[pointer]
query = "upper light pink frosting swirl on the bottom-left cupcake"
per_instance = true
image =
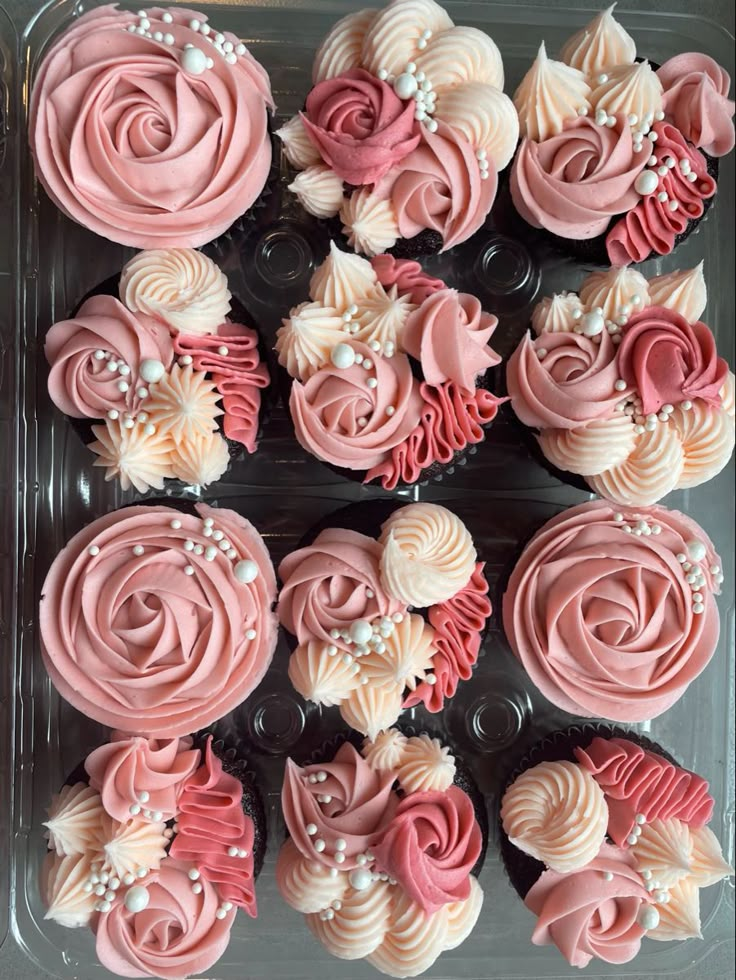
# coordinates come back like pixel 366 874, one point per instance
pixel 127 766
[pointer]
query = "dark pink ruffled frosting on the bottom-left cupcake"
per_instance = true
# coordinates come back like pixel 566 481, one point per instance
pixel 210 821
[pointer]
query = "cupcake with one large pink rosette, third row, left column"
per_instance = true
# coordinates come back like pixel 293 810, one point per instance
pixel 158 620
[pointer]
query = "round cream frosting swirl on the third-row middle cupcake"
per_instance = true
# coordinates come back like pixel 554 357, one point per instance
pixel 428 554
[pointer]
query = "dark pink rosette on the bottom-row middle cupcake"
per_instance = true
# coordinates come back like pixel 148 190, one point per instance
pixel 431 846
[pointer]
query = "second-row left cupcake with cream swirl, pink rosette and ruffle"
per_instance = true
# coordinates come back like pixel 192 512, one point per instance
pixel 161 372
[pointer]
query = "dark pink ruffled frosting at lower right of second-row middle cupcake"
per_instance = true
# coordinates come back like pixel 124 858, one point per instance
pixel 451 419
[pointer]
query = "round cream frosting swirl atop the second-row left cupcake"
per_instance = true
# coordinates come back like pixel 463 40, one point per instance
pixel 179 286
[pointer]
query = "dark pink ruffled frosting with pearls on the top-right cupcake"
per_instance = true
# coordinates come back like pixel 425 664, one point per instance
pixel 652 226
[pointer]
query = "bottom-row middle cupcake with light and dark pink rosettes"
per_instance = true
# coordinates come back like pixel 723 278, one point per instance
pixel 383 849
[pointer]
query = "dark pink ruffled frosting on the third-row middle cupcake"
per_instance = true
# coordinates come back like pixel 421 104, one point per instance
pixel 458 630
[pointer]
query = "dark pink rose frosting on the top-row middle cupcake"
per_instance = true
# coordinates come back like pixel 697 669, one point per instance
pixel 359 125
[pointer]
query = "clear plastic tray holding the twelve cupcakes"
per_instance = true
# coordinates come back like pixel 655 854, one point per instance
pixel 503 495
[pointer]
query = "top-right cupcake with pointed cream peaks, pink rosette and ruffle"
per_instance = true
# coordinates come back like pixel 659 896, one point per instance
pixel 617 159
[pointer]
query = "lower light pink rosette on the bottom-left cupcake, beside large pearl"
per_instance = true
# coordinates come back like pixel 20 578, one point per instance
pixel 176 935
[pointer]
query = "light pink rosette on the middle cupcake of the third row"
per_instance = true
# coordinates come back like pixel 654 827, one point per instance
pixel 332 583
